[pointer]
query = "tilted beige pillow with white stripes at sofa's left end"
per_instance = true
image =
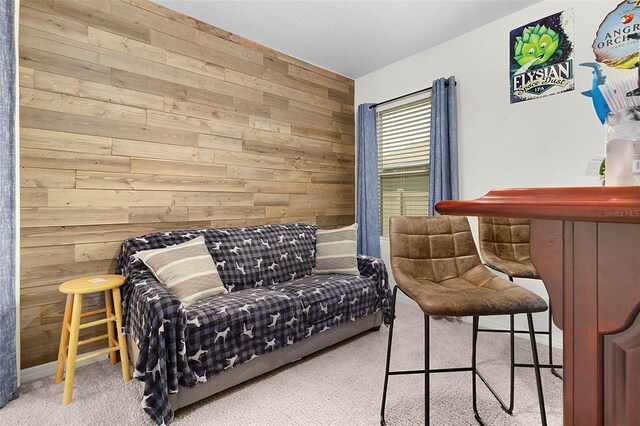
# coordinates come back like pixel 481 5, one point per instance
pixel 186 269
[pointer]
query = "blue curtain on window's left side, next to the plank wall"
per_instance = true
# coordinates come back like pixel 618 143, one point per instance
pixel 367 183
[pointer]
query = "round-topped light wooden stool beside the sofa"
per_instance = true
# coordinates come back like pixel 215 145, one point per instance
pixel 71 326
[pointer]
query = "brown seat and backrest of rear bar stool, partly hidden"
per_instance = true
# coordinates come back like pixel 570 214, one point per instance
pixel 504 246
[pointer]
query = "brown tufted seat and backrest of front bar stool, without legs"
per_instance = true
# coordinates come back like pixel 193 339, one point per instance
pixel 435 262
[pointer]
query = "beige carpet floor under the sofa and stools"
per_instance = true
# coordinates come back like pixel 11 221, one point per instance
pixel 341 385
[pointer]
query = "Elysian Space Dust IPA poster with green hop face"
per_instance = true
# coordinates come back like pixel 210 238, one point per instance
pixel 541 57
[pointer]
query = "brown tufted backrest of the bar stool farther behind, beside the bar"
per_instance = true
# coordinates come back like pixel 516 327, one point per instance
pixel 505 238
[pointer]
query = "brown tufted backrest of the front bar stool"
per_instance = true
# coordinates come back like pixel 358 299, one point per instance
pixel 434 248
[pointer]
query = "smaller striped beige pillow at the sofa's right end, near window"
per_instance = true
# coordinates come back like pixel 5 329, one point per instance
pixel 336 251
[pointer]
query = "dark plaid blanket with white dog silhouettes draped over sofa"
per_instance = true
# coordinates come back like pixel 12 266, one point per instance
pixel 268 307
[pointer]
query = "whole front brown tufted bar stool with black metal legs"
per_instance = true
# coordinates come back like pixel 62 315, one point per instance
pixel 435 263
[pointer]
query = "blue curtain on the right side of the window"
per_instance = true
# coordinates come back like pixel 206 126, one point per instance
pixel 443 170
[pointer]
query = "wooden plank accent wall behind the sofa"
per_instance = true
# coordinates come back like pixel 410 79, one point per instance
pixel 135 118
